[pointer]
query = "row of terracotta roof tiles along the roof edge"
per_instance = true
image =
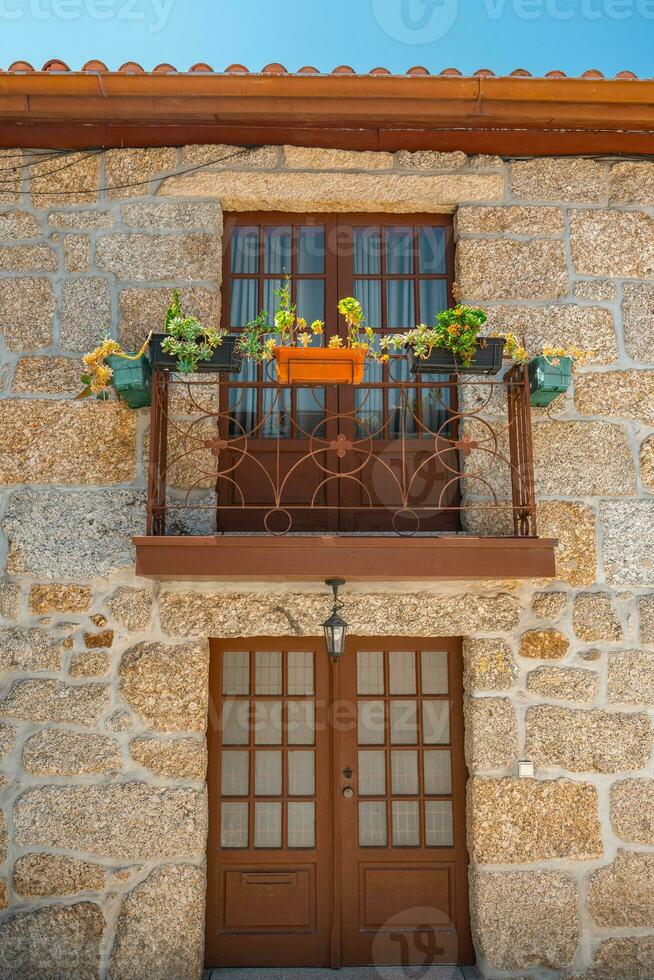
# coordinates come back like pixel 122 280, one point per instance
pixel 274 68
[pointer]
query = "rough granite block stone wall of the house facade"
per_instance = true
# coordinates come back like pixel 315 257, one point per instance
pixel 103 694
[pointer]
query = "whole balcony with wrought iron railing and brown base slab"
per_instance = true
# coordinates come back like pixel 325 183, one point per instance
pixel 409 479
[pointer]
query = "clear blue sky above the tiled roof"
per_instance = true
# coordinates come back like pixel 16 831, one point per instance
pixel 499 34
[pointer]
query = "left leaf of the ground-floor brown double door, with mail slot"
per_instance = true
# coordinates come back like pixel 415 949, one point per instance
pixel 270 812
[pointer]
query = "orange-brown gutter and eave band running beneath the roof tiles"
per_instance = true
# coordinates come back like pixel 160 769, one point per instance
pixel 513 115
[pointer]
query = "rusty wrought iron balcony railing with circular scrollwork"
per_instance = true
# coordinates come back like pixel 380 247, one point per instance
pixel 419 456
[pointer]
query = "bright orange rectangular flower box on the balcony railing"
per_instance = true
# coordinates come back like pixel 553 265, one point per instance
pixel 320 365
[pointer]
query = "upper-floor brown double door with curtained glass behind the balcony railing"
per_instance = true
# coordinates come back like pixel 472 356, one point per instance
pixel 311 458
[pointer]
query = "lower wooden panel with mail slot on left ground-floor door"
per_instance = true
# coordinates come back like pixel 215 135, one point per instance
pixel 269 900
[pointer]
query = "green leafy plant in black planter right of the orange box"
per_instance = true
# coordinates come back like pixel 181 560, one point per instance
pixel 456 329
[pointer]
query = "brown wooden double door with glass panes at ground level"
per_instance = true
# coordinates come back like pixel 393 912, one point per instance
pixel 336 804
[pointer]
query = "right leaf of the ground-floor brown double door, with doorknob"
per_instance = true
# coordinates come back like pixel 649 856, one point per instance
pixel 403 849
